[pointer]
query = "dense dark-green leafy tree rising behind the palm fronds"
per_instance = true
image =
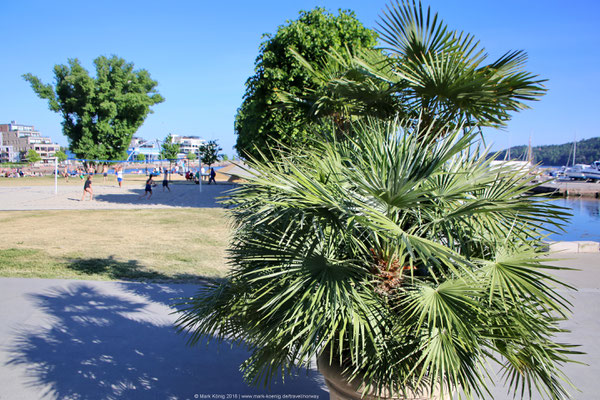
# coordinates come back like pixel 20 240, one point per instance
pixel 258 123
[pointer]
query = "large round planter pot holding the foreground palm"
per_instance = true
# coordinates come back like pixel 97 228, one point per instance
pixel 341 389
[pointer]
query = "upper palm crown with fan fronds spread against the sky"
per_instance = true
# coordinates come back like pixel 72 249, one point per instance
pixel 425 71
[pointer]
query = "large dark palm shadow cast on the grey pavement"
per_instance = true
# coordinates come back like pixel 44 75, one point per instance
pixel 114 344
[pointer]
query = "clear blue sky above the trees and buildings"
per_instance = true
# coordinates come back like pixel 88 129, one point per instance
pixel 201 53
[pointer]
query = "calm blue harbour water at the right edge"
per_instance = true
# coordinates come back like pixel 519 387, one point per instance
pixel 585 223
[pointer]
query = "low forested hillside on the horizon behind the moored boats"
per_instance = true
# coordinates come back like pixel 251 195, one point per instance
pixel 588 151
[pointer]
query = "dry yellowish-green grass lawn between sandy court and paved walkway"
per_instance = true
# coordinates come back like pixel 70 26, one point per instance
pixel 164 244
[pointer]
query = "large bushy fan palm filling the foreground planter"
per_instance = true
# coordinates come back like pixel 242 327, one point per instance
pixel 410 264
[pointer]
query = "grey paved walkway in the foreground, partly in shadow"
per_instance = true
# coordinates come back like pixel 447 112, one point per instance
pixel 64 339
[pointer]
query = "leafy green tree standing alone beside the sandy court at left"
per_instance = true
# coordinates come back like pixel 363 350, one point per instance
pixel 101 113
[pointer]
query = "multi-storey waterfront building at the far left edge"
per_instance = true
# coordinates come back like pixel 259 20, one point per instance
pixel 18 139
